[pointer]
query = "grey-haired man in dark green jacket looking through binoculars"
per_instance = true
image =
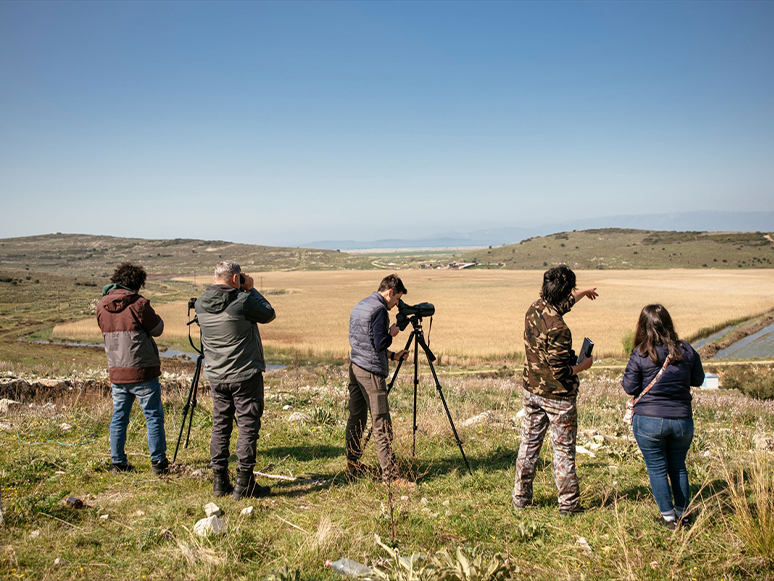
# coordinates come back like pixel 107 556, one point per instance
pixel 228 313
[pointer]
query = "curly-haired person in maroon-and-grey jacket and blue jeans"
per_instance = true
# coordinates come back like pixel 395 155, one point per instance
pixel 128 324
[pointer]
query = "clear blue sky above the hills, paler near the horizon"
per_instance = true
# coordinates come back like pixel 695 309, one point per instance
pixel 286 122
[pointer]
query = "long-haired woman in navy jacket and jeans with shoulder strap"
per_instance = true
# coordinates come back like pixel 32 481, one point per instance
pixel 663 419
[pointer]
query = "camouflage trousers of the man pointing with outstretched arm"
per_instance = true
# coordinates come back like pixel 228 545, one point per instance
pixel 562 417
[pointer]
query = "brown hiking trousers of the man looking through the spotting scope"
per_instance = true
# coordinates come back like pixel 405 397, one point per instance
pixel 368 391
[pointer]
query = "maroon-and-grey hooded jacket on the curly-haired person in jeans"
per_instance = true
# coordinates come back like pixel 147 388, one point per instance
pixel 128 324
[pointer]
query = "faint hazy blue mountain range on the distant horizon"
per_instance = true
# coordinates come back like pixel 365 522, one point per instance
pixel 706 221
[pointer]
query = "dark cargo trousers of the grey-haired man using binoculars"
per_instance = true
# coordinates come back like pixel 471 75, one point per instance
pixel 243 401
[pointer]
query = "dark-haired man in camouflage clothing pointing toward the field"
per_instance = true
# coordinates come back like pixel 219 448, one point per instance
pixel 550 390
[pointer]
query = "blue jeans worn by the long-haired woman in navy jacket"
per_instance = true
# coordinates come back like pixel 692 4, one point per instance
pixel 664 444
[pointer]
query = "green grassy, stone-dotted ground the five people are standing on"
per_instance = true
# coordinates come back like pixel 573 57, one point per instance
pixel 321 515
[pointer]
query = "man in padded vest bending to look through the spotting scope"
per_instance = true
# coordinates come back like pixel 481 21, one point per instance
pixel 370 336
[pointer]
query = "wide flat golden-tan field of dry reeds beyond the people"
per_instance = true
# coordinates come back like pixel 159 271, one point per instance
pixel 479 313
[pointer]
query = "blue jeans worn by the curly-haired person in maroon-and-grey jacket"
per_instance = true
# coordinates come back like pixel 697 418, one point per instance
pixel 148 394
